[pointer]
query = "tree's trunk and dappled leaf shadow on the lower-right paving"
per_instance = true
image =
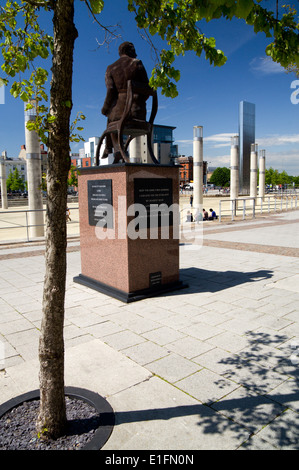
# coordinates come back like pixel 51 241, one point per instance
pixel 266 401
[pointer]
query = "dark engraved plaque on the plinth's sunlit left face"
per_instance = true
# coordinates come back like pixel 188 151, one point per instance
pixel 100 203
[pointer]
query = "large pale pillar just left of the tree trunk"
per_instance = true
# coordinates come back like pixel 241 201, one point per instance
pixel 34 177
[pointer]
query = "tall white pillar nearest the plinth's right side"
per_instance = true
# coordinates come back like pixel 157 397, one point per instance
pixel 198 167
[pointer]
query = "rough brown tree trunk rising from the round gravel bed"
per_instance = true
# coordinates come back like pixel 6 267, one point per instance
pixel 52 414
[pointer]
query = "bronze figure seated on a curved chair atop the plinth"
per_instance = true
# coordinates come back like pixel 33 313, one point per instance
pixel 125 105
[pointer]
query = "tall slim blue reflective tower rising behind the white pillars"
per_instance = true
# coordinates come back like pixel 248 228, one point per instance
pixel 246 138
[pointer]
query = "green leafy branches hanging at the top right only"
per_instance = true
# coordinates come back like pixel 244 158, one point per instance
pixel 180 24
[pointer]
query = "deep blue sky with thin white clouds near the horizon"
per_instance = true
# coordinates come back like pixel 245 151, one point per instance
pixel 208 96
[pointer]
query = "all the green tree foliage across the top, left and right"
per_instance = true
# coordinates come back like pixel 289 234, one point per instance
pixel 179 23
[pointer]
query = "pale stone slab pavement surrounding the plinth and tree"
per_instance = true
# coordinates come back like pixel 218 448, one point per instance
pixel 212 366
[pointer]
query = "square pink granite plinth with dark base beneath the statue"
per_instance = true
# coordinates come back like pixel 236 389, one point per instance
pixel 121 257
